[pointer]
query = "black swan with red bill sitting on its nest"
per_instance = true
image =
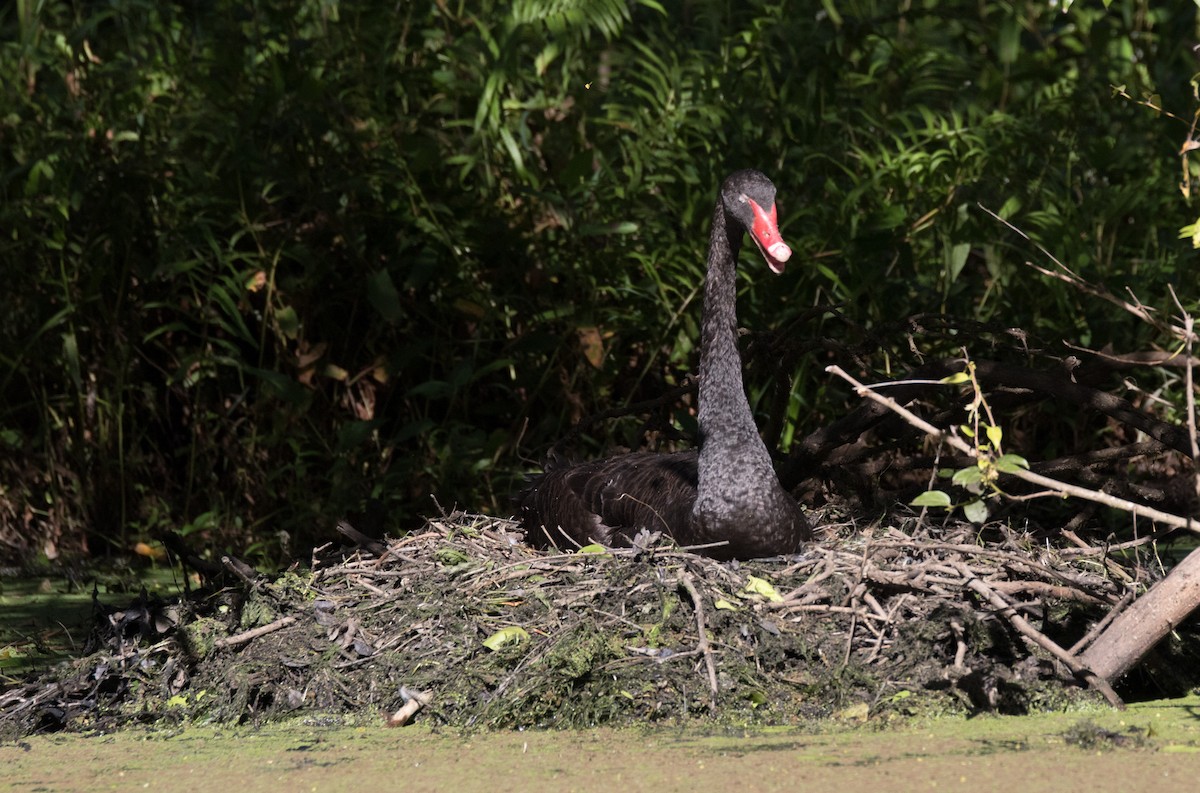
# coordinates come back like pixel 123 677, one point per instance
pixel 728 494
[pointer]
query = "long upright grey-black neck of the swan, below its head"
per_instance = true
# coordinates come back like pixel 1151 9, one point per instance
pixel 733 458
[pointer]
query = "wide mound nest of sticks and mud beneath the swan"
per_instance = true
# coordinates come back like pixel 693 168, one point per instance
pixel 461 624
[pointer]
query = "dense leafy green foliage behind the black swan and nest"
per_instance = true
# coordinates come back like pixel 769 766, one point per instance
pixel 272 262
